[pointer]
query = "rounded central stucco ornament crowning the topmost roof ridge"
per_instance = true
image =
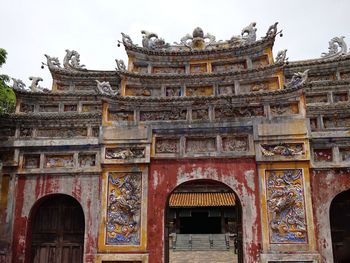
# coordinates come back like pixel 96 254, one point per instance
pixel 197 40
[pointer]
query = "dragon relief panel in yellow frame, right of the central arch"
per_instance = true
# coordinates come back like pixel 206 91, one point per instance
pixel 285 206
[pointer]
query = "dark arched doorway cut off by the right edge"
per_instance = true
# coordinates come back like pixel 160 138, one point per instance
pixel 340 227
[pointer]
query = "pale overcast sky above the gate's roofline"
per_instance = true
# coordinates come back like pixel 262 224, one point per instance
pixel 30 29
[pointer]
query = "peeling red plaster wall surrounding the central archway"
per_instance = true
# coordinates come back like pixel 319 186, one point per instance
pixel 239 174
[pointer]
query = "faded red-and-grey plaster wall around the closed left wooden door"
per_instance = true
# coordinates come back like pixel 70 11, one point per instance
pixel 30 188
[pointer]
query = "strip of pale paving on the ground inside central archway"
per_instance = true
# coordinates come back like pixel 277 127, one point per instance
pixel 202 256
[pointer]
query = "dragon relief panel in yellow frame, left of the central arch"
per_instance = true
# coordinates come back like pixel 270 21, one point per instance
pixel 123 209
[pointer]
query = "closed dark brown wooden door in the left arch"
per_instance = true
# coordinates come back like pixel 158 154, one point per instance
pixel 56 230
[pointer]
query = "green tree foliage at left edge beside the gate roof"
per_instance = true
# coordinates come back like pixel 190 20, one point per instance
pixel 7 96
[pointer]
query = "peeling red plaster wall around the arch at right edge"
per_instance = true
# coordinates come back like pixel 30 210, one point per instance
pixel 325 185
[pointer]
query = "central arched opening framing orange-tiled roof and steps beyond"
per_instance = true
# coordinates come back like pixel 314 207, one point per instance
pixel 203 216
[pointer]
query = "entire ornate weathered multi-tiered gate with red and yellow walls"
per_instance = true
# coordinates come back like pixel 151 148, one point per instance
pixel 272 135
